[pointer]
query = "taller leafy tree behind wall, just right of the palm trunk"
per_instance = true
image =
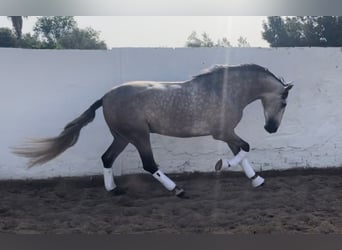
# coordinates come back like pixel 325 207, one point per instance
pixel 51 29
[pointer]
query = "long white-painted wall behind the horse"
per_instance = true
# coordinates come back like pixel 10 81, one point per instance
pixel 42 90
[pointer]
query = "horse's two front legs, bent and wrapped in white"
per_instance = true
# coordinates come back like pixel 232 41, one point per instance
pixel 240 148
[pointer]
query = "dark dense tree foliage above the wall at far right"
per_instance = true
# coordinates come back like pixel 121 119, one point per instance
pixel 318 31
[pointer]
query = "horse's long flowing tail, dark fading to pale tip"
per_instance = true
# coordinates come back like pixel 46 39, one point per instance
pixel 43 150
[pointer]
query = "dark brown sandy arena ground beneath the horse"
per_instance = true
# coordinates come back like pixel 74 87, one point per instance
pixel 296 201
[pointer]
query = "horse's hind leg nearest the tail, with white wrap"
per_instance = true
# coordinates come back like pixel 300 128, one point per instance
pixel 108 158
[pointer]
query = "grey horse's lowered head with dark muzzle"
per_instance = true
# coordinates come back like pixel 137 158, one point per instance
pixel 274 106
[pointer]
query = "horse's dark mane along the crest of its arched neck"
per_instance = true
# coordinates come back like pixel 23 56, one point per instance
pixel 218 69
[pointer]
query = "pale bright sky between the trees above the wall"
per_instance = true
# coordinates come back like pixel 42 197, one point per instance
pixel 164 31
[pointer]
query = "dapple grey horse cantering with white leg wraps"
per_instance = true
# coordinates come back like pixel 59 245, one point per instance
pixel 210 103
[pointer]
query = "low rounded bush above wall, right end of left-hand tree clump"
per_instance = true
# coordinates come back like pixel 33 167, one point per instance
pixel 82 39
